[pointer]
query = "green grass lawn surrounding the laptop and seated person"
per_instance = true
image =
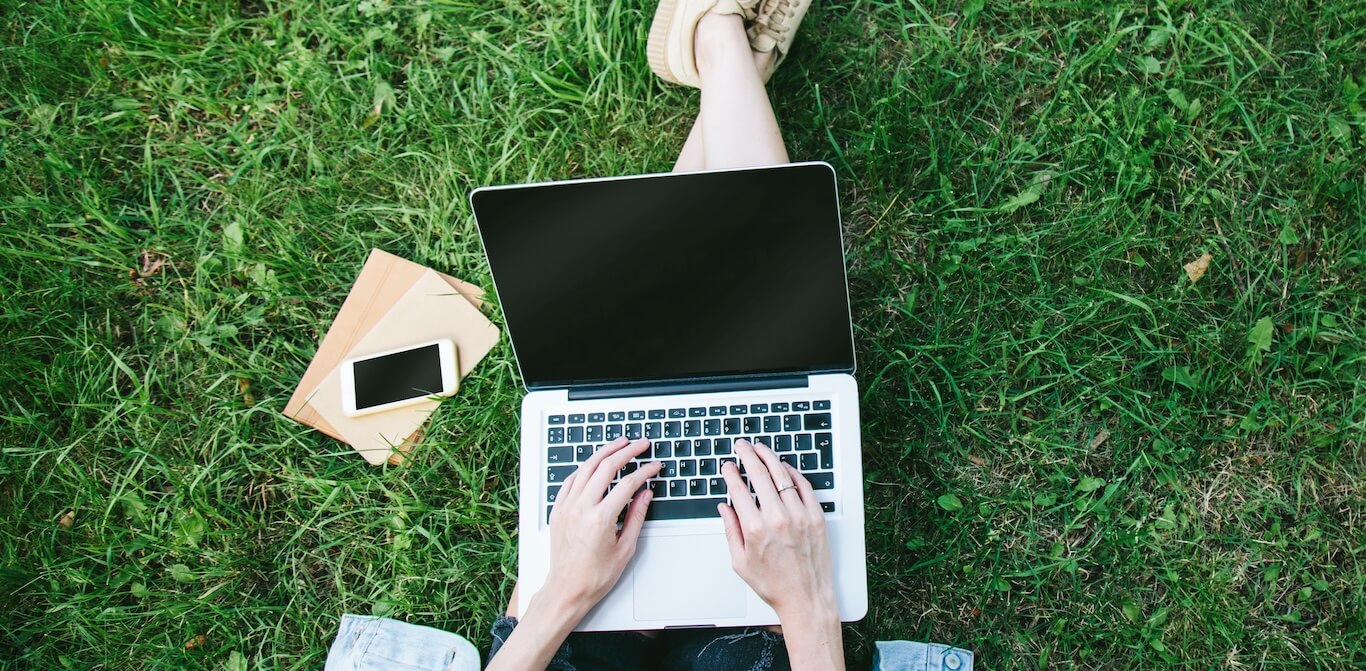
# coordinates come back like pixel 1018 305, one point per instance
pixel 1076 457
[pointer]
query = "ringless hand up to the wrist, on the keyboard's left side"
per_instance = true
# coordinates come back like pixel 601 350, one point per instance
pixel 588 551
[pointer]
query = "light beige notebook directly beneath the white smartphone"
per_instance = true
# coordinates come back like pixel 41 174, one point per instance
pixel 431 310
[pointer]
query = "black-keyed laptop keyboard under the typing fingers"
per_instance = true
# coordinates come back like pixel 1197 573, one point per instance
pixel 693 443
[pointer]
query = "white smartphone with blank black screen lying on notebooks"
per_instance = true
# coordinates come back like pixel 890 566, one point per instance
pixel 398 378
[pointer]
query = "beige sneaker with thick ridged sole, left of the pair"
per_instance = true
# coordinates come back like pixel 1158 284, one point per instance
pixel 670 50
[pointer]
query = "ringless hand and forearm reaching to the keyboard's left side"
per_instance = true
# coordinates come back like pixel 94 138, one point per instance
pixel 588 553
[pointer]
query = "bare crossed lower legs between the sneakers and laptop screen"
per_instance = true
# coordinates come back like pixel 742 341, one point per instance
pixel 748 133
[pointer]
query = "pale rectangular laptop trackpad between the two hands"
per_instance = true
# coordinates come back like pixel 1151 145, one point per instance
pixel 685 579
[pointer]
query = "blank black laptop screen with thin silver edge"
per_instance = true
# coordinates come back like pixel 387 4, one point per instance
pixel 671 277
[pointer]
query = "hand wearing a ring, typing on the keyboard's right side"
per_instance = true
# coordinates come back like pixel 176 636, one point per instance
pixel 778 547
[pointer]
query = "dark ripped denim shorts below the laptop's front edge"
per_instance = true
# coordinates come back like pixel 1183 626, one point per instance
pixel 685 650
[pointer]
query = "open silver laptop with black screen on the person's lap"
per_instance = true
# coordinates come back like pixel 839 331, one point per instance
pixel 691 310
